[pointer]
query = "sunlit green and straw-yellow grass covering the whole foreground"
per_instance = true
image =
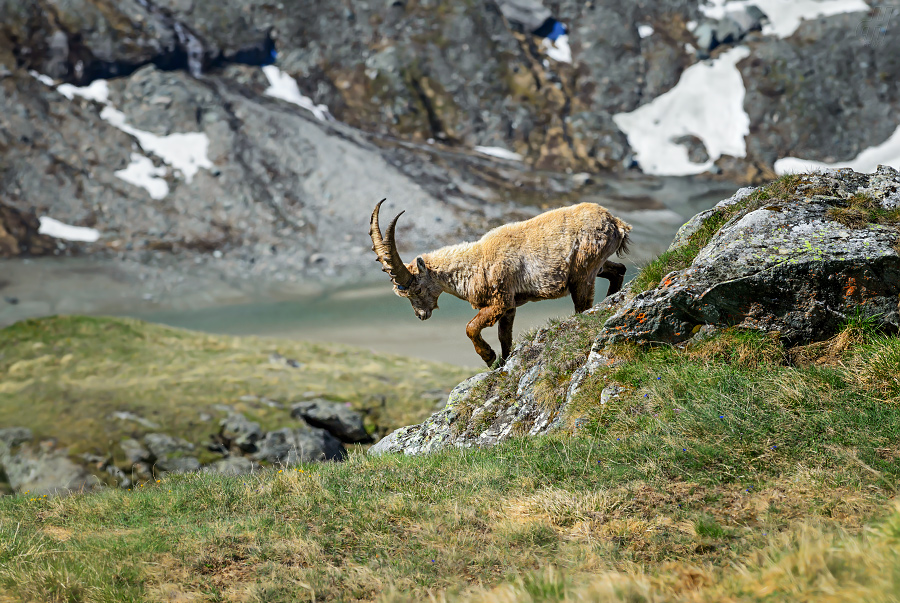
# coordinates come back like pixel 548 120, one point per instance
pixel 718 456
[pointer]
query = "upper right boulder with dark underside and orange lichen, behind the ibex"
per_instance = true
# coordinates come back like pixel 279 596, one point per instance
pixel 779 265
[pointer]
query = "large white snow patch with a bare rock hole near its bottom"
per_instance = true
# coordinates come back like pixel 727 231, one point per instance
pixel 708 102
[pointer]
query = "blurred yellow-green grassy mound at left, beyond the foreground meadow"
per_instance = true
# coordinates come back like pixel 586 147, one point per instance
pixel 64 376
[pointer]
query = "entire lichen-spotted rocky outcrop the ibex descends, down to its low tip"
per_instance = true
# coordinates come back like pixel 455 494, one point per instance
pixel 796 259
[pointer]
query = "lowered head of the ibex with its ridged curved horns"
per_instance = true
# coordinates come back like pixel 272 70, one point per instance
pixel 414 281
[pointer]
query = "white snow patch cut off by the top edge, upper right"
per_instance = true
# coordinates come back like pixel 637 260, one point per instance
pixel 785 16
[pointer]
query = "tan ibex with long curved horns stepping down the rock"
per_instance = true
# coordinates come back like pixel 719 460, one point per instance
pixel 547 257
